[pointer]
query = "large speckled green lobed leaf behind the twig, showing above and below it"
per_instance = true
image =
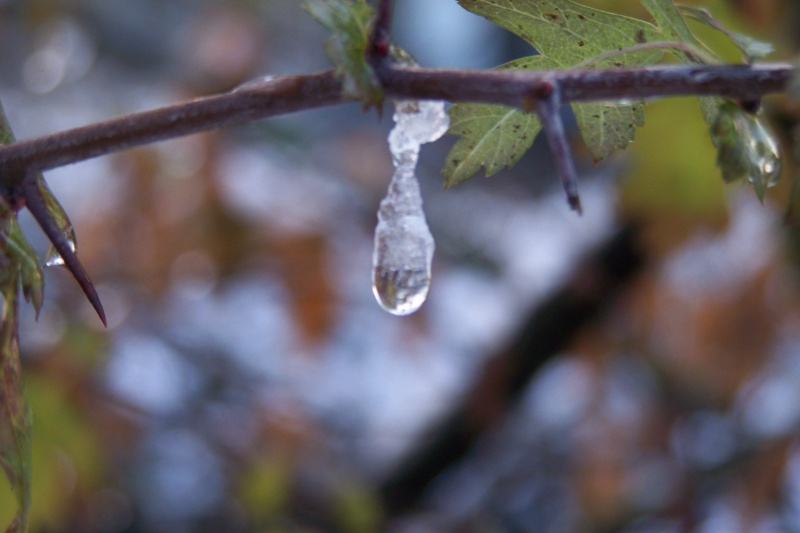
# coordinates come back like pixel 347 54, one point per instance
pixel 566 34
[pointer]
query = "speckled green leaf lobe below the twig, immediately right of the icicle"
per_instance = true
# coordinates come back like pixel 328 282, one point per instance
pixel 492 136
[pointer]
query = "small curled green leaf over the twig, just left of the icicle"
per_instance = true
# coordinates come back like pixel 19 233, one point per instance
pixel 349 22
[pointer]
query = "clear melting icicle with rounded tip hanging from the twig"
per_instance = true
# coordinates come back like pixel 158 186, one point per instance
pixel 401 262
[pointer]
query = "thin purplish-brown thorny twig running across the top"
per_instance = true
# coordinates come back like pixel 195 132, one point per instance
pixel 295 93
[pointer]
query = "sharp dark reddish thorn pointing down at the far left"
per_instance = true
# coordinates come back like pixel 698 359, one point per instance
pixel 37 207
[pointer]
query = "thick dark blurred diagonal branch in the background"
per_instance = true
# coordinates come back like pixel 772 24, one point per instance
pixel 546 333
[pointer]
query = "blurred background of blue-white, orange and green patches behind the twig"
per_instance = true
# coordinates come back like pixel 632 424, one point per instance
pixel 636 369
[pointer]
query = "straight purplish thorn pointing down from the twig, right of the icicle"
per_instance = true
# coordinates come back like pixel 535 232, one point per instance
pixel 553 126
